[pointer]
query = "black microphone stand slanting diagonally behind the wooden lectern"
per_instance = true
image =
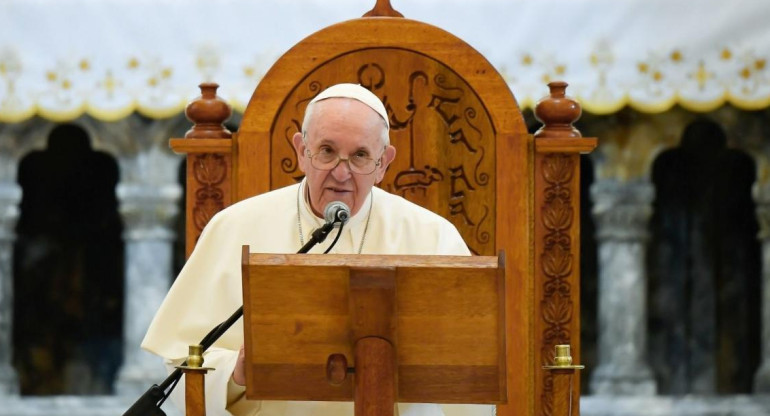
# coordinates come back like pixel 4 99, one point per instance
pixel 149 403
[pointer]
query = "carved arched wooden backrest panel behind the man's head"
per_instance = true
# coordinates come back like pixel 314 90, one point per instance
pixel 444 136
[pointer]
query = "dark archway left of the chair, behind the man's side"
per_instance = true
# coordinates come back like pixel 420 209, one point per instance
pixel 68 269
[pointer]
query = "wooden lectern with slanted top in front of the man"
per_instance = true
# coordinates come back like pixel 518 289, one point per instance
pixel 420 329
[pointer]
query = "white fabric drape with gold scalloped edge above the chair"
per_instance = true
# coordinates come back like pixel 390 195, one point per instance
pixel 60 59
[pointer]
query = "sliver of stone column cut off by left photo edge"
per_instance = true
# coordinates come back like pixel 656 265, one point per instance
pixel 10 196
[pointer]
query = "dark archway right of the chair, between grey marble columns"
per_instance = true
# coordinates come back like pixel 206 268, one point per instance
pixel 704 267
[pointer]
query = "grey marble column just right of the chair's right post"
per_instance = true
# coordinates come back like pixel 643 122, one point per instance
pixel 622 212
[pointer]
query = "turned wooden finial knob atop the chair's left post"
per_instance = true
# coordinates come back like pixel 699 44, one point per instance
pixel 208 112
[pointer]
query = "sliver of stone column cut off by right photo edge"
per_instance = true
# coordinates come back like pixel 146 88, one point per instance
pixel 762 199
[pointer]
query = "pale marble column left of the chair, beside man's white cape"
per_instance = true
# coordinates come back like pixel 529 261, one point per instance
pixel 147 211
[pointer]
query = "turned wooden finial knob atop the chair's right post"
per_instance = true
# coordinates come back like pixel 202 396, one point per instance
pixel 557 112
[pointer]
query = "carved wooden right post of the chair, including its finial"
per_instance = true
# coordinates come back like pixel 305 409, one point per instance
pixel 558 146
